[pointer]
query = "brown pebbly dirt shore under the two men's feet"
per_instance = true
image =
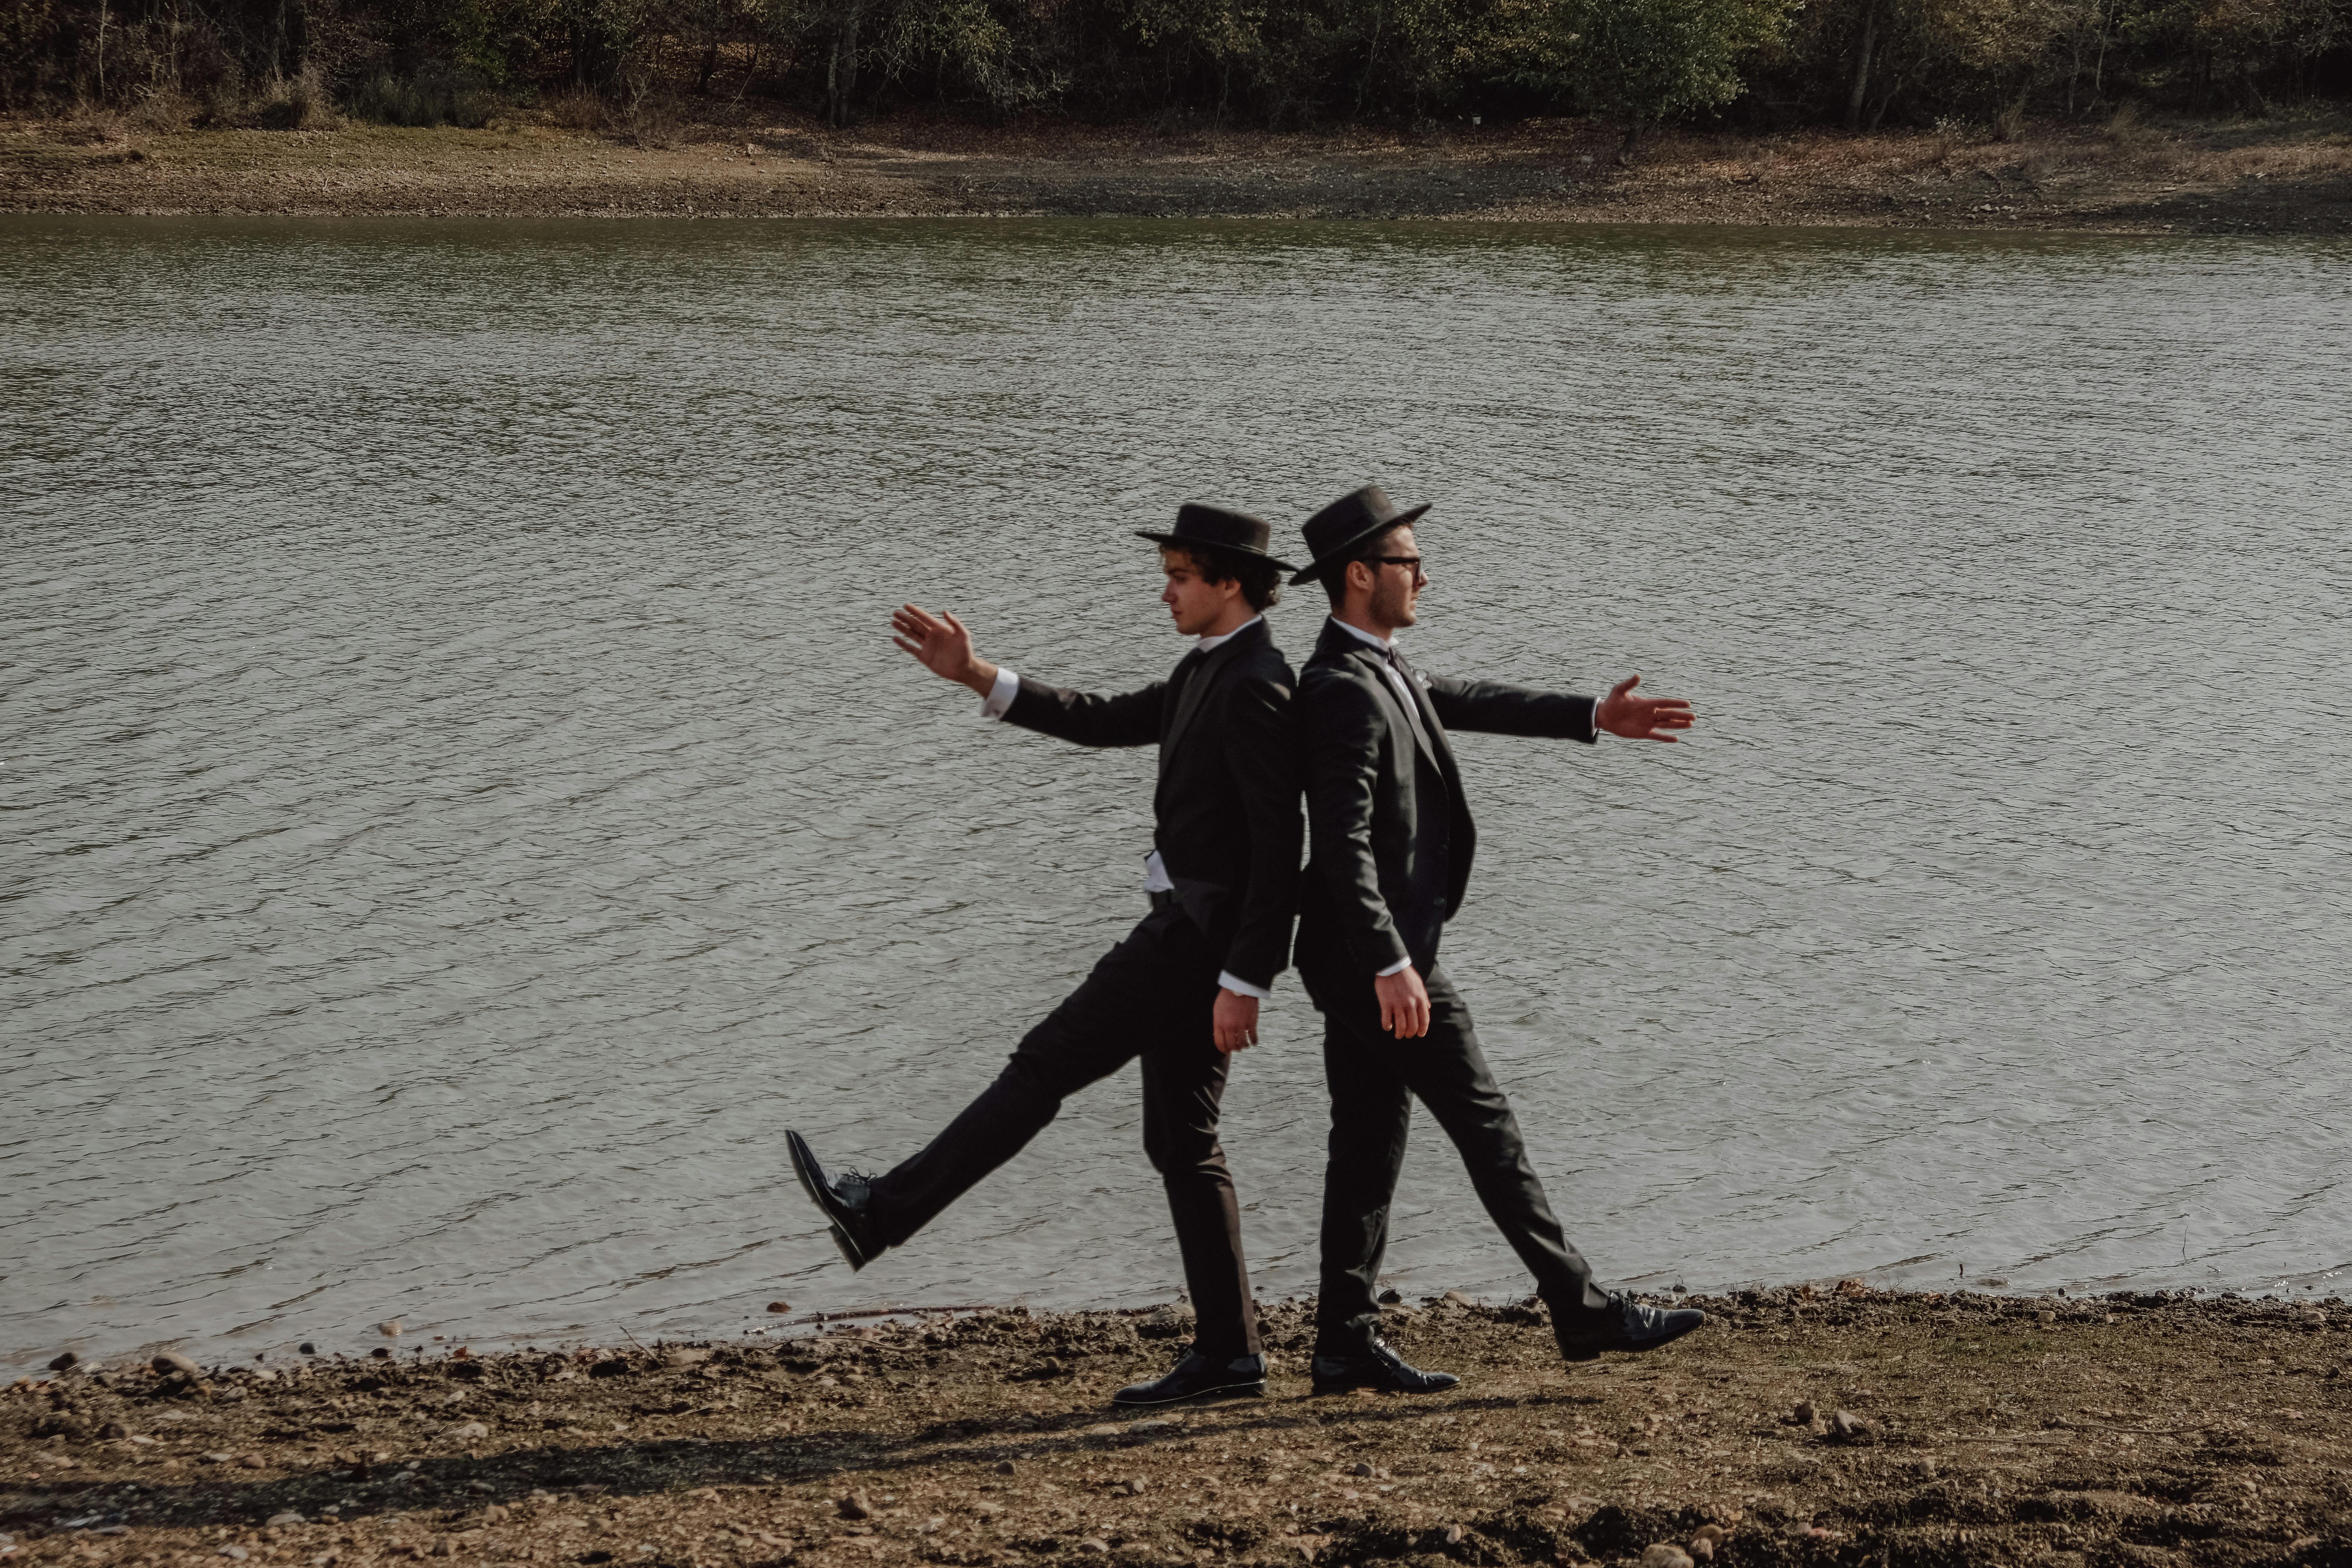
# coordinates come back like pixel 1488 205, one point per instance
pixel 1796 1428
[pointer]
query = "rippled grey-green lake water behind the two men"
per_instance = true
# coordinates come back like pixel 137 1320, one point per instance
pixel 462 805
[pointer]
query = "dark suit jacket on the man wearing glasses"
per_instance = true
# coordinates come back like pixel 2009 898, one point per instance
pixel 1394 833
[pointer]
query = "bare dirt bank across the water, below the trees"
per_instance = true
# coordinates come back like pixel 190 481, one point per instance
pixel 2285 175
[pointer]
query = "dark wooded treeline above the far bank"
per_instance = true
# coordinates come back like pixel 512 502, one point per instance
pixel 1276 65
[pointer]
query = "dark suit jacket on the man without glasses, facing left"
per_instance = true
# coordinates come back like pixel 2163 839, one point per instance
pixel 1227 810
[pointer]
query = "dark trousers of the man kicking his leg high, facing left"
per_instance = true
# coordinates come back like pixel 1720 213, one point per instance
pixel 1149 998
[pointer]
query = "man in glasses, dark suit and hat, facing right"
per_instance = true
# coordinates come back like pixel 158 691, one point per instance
pixel 1389 864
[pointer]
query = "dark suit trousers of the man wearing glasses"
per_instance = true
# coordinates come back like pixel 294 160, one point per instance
pixel 1375 1080
